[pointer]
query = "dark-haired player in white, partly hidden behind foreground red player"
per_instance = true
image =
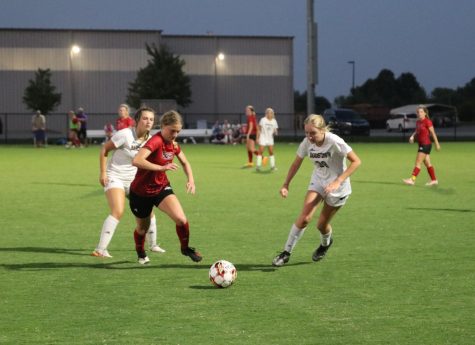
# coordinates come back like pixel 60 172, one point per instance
pixel 117 174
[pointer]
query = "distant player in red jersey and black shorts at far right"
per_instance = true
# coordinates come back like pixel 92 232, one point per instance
pixel 424 129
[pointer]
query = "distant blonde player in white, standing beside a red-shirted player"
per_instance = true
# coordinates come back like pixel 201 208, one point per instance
pixel 268 129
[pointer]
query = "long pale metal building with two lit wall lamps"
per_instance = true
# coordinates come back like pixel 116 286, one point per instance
pixel 251 70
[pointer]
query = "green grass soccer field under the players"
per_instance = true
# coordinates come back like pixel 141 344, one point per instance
pixel 401 270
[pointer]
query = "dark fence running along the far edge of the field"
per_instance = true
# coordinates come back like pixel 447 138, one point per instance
pixel 16 127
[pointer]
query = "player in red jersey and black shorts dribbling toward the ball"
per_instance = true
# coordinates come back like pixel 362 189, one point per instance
pixel 151 186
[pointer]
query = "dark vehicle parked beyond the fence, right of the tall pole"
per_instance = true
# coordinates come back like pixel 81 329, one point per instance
pixel 346 122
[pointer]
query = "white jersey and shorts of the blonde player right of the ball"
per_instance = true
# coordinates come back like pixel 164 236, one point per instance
pixel 329 160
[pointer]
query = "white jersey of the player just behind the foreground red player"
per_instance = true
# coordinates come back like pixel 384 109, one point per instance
pixel 127 146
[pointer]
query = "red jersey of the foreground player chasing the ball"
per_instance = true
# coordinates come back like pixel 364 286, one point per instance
pixel 151 183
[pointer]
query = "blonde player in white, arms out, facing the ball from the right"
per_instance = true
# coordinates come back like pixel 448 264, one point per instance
pixel 329 184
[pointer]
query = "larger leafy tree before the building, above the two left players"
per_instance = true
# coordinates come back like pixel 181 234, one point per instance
pixel 162 78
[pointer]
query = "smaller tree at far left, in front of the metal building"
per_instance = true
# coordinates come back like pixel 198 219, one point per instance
pixel 40 93
